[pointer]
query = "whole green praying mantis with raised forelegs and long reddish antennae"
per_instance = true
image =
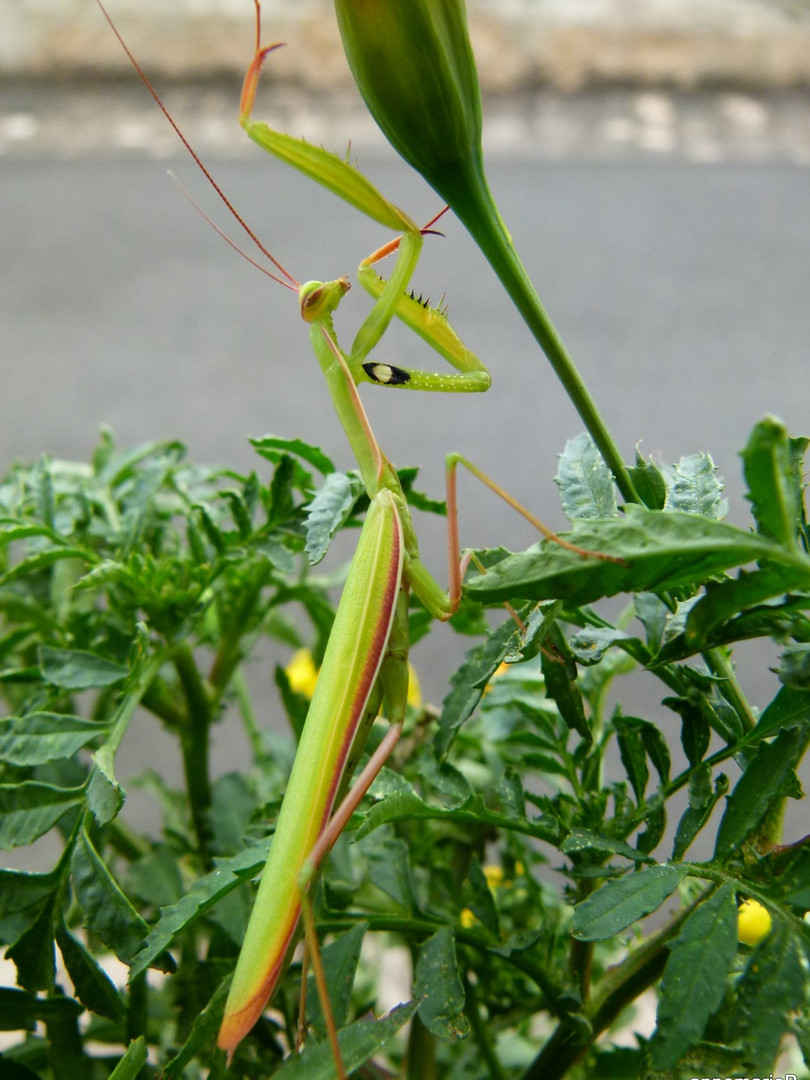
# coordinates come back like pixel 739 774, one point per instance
pixel 366 669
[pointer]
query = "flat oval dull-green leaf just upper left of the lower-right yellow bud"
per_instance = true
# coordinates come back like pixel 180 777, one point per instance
pixel 619 904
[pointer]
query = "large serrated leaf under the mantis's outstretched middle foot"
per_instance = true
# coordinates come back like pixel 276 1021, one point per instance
pixel 659 551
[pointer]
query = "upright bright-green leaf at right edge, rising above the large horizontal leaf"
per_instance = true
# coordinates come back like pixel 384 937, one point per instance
pixel 774 488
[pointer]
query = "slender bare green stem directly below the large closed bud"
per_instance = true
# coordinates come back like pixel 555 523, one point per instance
pixel 475 206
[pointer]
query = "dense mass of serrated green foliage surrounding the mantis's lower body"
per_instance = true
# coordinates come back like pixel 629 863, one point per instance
pixel 177 572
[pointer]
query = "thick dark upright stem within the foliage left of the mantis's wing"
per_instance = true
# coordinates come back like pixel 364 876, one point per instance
pixel 195 742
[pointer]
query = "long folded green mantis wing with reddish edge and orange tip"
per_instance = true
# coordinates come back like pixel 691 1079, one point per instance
pixel 353 661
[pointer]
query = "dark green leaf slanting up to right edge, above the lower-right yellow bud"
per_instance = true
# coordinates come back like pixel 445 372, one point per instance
pixel 763 781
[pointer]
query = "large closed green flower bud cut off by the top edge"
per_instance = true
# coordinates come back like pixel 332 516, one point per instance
pixel 414 66
